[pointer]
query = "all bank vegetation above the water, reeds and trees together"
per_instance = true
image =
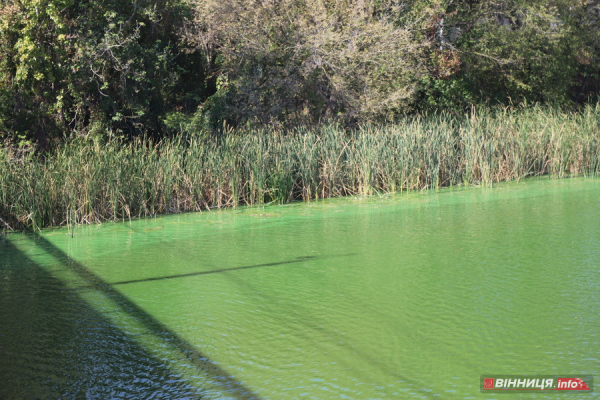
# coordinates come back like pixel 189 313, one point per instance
pixel 111 110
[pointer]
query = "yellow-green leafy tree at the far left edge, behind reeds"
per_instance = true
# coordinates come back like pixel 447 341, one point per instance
pixel 33 50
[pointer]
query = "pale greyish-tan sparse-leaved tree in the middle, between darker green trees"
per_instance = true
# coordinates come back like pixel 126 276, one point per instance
pixel 300 60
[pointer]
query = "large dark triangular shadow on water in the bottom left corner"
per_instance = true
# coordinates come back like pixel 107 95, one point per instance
pixel 53 345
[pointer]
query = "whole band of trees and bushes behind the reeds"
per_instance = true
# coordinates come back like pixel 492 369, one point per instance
pixel 159 67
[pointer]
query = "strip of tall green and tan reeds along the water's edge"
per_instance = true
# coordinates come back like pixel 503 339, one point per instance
pixel 87 182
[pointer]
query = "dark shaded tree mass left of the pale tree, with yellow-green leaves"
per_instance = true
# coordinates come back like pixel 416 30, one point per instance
pixel 74 66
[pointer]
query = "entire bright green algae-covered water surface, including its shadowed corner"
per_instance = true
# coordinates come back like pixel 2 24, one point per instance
pixel 407 296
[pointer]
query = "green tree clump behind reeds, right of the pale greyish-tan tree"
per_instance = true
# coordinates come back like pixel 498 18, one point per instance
pixel 510 51
